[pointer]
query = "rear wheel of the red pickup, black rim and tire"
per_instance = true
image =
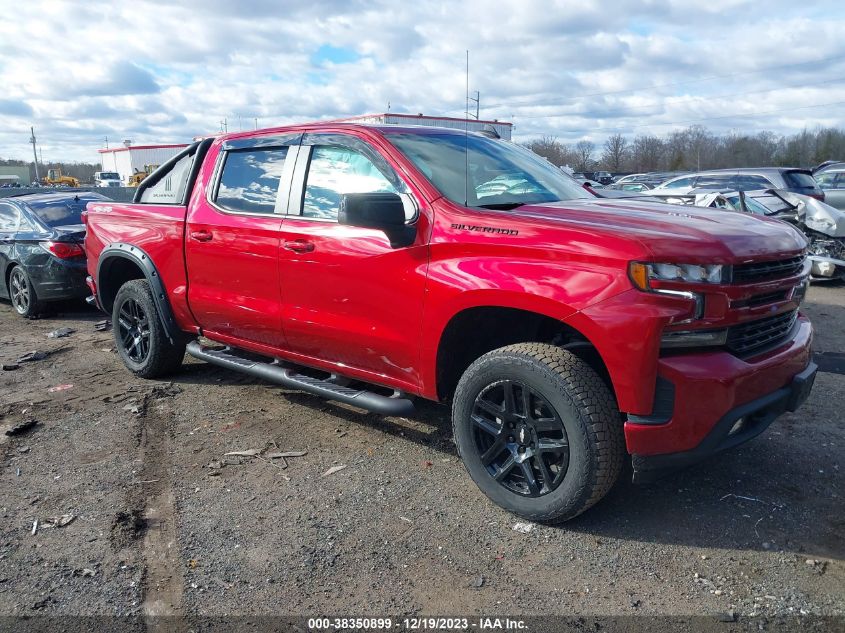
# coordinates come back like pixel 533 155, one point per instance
pixel 139 335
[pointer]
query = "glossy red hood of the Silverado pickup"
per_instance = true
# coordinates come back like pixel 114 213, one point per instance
pixel 676 233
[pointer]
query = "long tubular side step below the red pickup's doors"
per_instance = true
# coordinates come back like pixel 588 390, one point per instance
pixel 285 376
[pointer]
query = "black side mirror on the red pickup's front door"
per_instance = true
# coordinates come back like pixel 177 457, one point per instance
pixel 382 211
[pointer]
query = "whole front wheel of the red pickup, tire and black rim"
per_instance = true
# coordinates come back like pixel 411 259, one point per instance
pixel 538 430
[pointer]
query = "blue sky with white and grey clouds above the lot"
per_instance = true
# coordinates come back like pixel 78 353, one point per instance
pixel 165 72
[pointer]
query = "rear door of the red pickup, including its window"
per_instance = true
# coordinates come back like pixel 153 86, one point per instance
pixel 232 240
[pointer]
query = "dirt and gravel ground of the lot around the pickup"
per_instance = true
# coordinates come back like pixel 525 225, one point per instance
pixel 163 523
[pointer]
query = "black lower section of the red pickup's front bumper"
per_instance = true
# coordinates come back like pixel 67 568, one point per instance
pixel 737 426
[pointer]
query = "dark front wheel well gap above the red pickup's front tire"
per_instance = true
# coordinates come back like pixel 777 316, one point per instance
pixel 476 331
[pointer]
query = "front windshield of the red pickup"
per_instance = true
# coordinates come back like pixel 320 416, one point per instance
pixel 492 174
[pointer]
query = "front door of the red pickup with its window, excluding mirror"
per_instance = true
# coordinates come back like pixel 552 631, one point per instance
pixel 348 296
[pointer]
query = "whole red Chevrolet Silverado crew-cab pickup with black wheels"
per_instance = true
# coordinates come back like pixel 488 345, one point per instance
pixel 372 265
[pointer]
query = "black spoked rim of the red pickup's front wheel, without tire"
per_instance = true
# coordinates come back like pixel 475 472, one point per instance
pixel 520 438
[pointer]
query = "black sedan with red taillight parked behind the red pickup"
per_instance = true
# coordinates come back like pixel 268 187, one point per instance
pixel 41 248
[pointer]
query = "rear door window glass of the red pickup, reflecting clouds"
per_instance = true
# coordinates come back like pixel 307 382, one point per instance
pixel 249 182
